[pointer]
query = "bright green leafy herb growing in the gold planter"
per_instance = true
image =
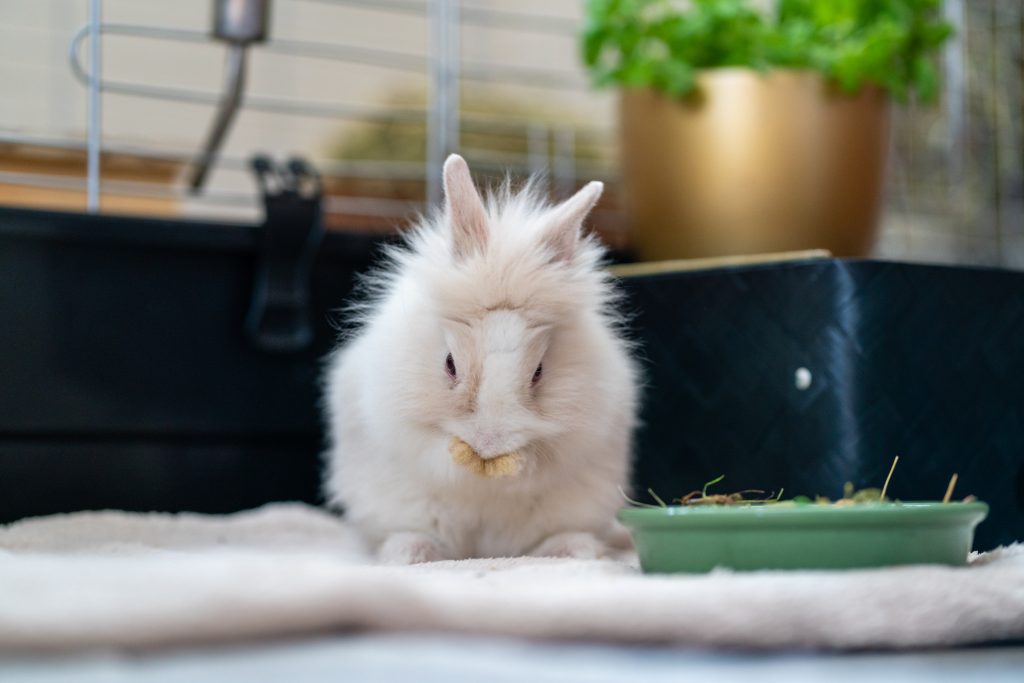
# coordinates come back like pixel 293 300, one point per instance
pixel 659 45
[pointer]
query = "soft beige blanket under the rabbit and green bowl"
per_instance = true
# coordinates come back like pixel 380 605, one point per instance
pixel 122 580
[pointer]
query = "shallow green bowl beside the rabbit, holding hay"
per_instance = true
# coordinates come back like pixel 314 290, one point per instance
pixel 802 537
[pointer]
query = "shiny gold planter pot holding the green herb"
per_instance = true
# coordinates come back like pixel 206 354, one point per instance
pixel 754 163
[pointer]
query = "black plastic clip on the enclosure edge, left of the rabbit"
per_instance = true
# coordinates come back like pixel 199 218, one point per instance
pixel 280 315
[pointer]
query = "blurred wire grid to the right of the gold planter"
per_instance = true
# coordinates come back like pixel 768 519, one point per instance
pixel 957 169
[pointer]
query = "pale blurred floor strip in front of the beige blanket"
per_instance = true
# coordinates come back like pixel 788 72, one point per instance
pixel 416 659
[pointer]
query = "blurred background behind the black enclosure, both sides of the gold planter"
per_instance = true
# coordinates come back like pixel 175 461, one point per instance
pixel 376 93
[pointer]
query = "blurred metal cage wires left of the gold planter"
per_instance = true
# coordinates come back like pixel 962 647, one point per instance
pixel 443 67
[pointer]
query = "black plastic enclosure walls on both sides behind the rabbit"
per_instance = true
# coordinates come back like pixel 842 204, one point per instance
pixel 127 379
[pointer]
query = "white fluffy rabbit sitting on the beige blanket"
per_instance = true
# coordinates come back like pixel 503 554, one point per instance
pixel 495 324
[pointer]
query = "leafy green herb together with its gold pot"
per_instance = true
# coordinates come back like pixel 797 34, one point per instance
pixel 747 131
